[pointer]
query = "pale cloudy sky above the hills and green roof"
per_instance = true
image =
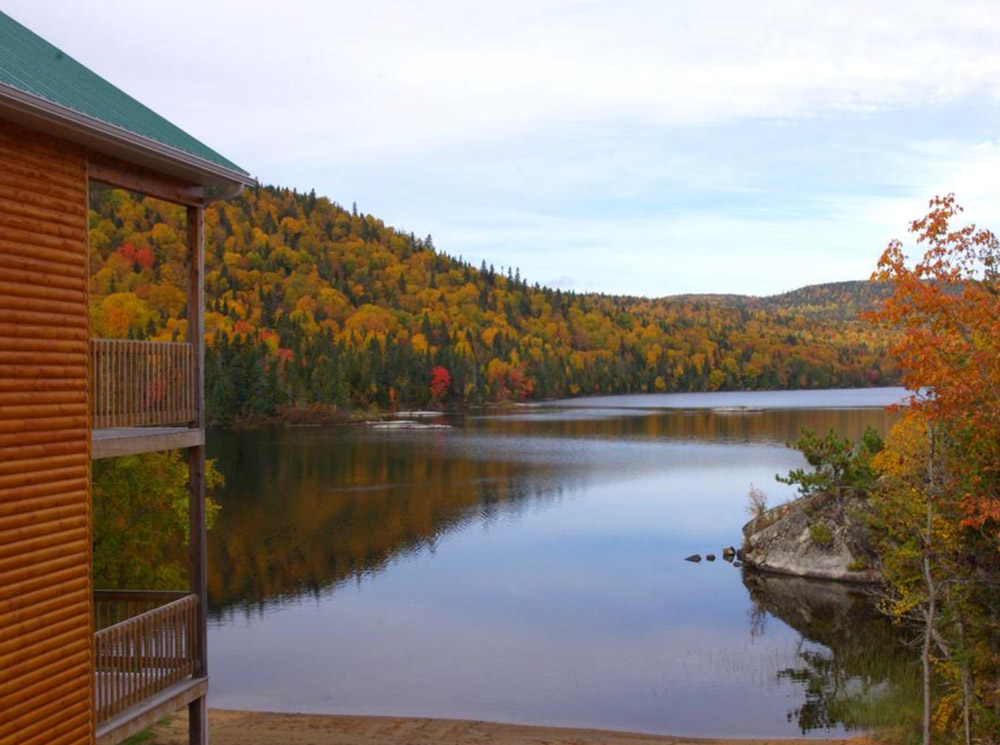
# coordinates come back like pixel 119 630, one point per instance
pixel 632 147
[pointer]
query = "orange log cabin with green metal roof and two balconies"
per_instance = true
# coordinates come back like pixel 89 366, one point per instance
pixel 79 666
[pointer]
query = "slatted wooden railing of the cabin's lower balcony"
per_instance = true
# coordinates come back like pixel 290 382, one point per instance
pixel 144 644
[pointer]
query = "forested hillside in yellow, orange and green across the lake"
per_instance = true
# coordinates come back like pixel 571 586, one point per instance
pixel 308 303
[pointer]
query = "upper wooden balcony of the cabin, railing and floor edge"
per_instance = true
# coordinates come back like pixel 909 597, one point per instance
pixel 143 396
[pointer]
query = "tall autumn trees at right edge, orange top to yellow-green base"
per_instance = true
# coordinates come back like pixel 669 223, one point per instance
pixel 938 504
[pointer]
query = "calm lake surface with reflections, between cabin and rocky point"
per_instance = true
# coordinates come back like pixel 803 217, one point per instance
pixel 526 566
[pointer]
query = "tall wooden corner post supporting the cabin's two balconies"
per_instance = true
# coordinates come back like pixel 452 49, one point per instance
pixel 197 709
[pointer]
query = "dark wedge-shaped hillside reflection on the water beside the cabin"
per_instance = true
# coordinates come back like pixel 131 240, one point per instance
pixel 305 510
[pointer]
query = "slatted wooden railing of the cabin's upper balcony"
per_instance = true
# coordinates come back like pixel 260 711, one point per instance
pixel 142 383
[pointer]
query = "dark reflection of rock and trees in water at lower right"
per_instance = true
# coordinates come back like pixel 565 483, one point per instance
pixel 855 671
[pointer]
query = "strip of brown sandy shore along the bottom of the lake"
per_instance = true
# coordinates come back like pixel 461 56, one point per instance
pixel 234 727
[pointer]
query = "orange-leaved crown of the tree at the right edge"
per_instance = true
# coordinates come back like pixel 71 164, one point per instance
pixel 947 306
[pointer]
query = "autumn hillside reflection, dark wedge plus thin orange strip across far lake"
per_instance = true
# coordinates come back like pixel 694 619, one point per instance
pixel 306 510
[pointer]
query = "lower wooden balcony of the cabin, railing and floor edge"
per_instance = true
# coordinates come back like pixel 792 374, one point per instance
pixel 145 659
